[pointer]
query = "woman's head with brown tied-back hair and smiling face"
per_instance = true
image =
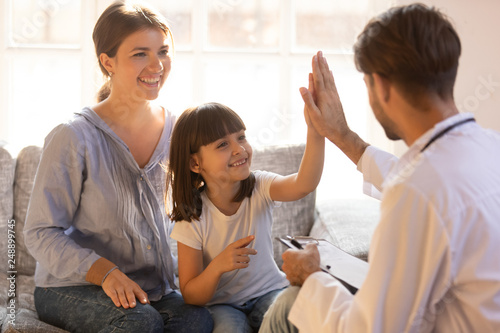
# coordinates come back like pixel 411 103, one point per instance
pixel 143 54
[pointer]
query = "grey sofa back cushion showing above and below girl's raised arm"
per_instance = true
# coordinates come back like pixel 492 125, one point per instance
pixel 290 218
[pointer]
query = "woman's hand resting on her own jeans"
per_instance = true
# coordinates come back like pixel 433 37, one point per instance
pixel 122 290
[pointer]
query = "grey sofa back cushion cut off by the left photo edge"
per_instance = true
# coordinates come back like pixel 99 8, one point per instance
pixel 7 169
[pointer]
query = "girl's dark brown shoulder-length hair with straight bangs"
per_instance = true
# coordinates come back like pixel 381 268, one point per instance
pixel 196 127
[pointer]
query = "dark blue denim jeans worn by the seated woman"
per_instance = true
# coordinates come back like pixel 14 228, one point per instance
pixel 88 309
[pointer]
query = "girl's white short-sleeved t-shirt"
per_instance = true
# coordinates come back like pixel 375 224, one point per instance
pixel 215 231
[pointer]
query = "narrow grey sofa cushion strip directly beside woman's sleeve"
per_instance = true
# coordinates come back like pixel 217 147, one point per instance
pixel 26 166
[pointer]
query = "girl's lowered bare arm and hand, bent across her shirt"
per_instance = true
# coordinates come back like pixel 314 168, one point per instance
pixel 198 285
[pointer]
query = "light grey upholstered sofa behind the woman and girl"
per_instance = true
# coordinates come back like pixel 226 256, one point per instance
pixel 346 223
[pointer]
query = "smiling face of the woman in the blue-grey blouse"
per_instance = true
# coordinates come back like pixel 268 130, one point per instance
pixel 142 64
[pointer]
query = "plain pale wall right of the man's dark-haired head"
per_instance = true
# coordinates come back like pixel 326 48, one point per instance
pixel 477 89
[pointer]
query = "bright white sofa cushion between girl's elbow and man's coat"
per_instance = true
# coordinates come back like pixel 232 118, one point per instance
pixel 348 224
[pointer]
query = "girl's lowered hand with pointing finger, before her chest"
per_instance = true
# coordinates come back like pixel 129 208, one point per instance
pixel 235 255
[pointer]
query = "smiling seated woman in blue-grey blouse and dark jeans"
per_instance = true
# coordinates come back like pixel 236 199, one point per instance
pixel 97 223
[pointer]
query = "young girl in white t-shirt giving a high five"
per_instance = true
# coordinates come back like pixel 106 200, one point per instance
pixel 224 215
